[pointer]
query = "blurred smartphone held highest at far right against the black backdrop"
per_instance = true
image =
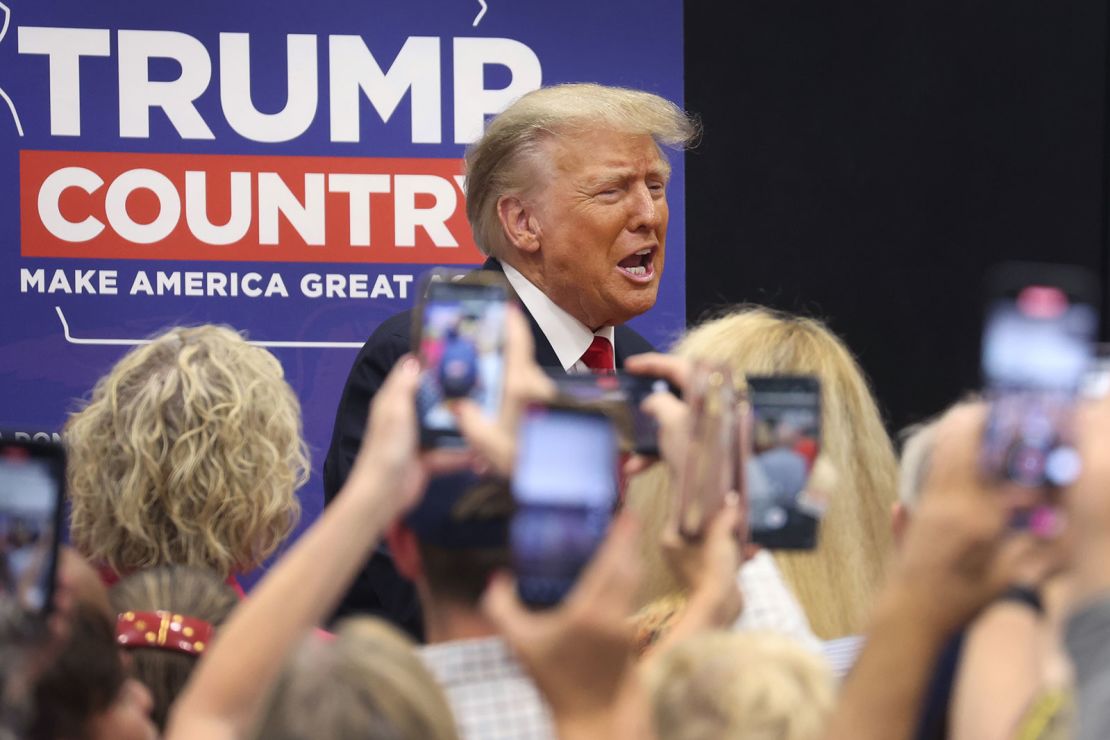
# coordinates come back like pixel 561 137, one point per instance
pixel 1038 346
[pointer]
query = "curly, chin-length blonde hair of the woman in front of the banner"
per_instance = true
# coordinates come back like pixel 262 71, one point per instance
pixel 188 453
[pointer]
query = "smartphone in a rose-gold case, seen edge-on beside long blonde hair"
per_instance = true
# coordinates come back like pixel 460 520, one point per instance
pixel 710 471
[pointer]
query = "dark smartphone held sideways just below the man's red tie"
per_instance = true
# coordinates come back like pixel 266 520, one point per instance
pixel 619 396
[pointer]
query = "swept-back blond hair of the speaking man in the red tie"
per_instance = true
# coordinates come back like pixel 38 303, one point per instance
pixel 504 161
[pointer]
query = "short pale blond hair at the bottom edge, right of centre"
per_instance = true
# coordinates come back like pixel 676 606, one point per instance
pixel 749 686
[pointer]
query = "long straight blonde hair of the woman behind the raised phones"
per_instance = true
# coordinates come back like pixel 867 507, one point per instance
pixel 836 582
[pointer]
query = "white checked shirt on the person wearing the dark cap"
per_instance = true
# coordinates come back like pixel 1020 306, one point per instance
pixel 490 693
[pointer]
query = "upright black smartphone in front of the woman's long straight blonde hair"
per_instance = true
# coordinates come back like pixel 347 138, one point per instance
pixel 784 443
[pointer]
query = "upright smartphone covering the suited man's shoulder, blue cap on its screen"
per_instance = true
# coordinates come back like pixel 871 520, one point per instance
pixel 460 340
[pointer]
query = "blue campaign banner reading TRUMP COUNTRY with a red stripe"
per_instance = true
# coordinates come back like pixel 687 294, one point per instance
pixel 287 168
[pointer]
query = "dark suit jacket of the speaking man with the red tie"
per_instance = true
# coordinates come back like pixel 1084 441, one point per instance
pixel 379 590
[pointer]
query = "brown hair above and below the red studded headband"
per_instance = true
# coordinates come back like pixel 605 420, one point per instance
pixel 179 591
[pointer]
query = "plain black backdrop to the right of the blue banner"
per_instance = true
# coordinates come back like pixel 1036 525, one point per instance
pixel 865 163
